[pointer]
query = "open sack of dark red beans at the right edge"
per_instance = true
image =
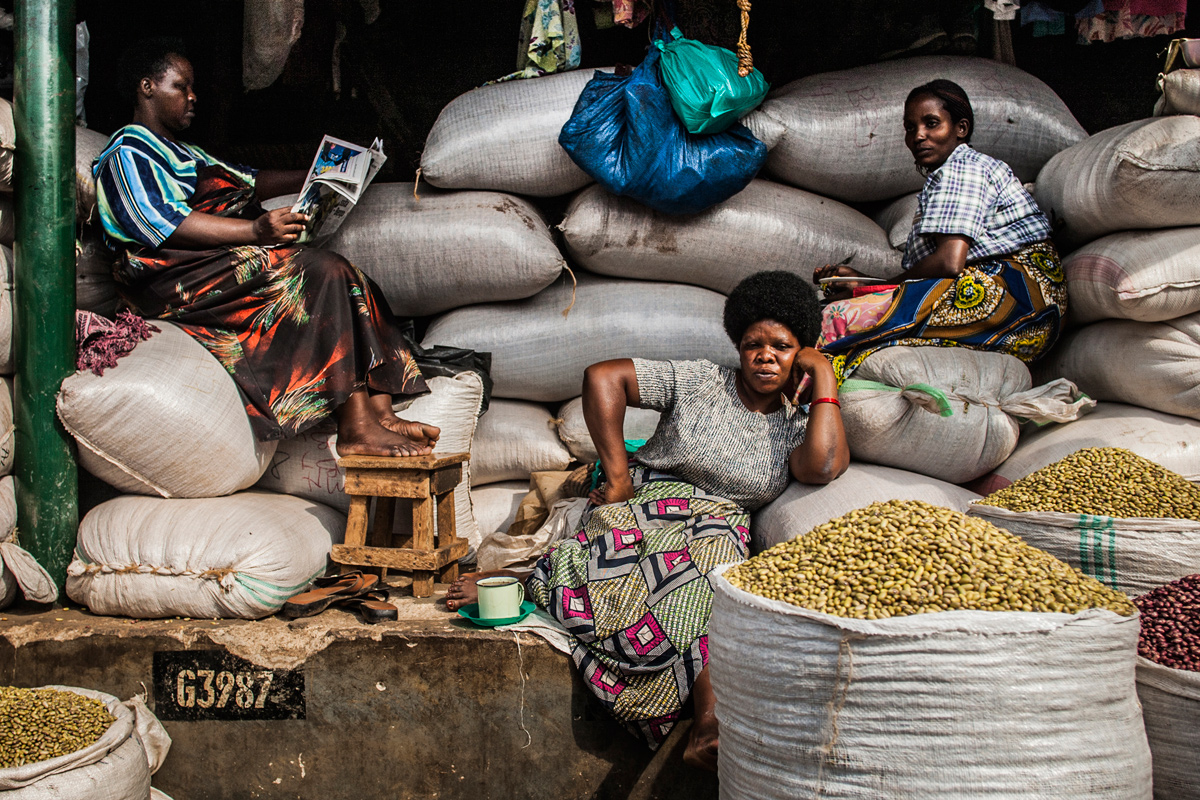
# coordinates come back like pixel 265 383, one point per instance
pixel 1169 685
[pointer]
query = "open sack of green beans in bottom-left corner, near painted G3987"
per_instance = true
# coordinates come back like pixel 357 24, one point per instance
pixel 62 743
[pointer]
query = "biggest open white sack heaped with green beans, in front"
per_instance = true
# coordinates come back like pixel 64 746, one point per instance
pixel 905 651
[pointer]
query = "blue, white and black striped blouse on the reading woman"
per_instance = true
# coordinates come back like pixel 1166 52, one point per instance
pixel 145 182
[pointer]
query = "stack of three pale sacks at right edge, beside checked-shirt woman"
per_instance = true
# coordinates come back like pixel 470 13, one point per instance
pixel 1127 200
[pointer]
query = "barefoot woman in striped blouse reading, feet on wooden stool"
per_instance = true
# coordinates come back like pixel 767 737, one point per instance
pixel 303 332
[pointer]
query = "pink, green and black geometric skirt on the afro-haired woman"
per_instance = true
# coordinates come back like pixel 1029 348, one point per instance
pixel 632 590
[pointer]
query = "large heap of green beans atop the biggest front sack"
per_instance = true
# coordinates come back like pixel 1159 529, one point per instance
pixel 907 557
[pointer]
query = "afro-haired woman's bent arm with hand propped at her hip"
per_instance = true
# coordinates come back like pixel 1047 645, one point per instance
pixel 609 388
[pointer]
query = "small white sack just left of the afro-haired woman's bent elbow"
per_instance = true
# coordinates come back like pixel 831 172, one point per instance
pixel 514 440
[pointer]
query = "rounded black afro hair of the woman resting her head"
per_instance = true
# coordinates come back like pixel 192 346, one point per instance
pixel 782 297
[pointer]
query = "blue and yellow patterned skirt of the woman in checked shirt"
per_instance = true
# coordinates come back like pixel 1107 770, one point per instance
pixel 1012 304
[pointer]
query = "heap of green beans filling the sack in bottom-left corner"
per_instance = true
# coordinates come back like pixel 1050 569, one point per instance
pixel 44 724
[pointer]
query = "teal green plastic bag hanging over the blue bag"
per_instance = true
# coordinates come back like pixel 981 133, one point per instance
pixel 706 91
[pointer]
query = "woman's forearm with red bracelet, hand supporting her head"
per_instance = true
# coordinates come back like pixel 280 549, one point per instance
pixel 824 455
